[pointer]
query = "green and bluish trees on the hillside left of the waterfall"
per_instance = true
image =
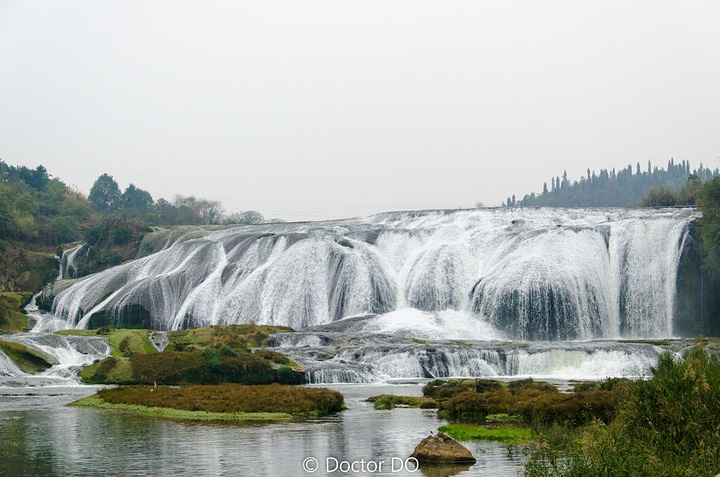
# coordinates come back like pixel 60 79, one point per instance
pixel 38 209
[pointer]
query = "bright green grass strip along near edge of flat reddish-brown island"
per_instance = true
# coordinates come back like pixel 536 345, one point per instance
pixel 96 402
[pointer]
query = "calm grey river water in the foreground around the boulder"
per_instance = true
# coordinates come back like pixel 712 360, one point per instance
pixel 40 436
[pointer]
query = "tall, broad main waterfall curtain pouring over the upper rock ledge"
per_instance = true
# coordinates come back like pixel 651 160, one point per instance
pixel 530 273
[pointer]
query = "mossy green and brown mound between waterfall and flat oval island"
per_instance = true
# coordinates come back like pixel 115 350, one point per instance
pixel 214 355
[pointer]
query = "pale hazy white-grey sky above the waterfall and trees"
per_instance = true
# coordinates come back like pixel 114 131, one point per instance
pixel 322 109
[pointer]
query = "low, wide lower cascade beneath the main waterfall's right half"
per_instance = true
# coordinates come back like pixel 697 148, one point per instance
pixel 365 359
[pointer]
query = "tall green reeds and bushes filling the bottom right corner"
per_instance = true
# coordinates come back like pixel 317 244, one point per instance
pixel 665 426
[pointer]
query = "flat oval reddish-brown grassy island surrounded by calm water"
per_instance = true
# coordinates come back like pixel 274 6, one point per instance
pixel 221 402
